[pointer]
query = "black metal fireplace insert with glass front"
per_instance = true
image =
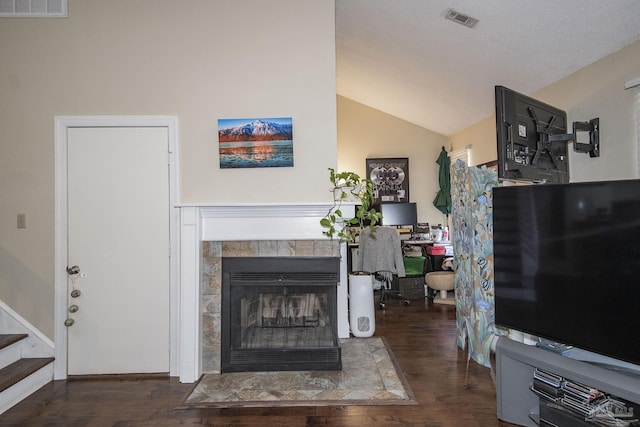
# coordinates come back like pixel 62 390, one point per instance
pixel 280 314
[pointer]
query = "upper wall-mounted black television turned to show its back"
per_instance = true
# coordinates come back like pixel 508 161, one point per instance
pixel 526 131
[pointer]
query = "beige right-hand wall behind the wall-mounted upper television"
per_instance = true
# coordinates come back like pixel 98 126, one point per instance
pixel 594 91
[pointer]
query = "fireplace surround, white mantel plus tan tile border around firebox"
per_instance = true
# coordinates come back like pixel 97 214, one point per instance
pixel 210 232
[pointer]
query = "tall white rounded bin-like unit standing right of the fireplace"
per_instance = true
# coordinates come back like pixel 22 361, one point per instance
pixel 362 318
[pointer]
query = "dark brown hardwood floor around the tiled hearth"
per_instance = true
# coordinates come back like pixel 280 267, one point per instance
pixel 421 336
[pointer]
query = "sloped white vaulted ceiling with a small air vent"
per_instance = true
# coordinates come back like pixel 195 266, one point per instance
pixel 405 58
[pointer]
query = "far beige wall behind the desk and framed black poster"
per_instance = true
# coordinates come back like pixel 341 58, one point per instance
pixel 364 132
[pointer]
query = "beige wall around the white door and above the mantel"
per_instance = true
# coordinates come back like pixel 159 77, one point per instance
pixel 198 60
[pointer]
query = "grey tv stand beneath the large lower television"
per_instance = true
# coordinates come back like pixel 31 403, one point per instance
pixel 516 363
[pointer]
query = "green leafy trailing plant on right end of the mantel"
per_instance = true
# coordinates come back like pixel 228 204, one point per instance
pixel 349 187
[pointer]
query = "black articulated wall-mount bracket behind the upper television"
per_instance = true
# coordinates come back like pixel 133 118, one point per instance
pixel 545 137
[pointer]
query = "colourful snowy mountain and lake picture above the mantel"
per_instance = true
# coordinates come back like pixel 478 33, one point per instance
pixel 255 143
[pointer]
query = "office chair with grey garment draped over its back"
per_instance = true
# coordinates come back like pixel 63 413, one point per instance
pixel 381 255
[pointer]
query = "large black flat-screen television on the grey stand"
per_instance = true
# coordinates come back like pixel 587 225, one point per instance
pixel 567 264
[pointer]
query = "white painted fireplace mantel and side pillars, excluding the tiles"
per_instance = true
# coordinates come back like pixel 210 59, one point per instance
pixel 234 222
